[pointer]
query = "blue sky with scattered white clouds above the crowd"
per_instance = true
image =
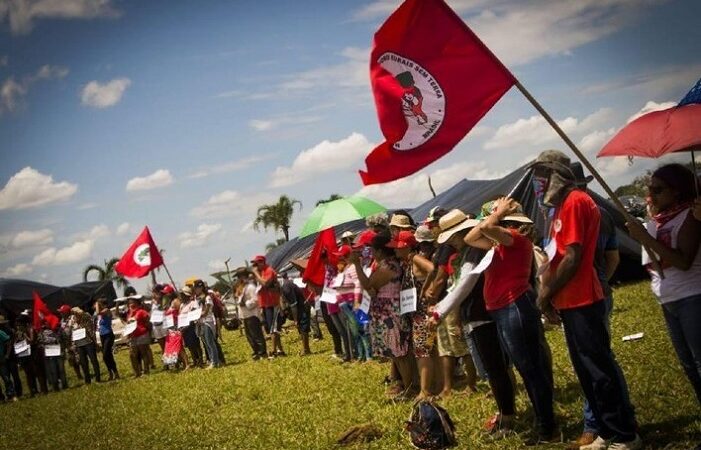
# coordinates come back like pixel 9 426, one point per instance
pixel 188 116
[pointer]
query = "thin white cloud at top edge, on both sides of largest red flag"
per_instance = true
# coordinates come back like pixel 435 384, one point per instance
pixel 536 28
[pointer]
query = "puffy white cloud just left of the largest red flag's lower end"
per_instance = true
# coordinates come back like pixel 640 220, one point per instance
pixel 323 158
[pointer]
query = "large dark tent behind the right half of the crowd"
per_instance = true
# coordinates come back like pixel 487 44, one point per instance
pixel 468 196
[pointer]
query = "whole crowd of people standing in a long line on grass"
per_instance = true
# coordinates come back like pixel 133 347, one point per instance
pixel 456 289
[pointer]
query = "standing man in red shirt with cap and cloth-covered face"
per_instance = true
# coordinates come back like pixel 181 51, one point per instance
pixel 572 288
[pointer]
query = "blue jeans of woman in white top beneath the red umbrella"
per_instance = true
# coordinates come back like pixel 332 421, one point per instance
pixel 683 318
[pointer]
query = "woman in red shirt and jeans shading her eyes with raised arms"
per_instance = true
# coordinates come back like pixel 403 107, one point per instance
pixel 510 300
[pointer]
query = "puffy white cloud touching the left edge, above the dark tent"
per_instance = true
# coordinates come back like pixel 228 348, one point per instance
pixel 29 188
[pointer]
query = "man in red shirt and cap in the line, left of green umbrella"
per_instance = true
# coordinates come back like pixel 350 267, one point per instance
pixel 269 300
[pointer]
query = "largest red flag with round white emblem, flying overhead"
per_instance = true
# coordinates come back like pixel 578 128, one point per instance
pixel 433 80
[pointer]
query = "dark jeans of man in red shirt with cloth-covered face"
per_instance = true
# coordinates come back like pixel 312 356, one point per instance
pixel 589 345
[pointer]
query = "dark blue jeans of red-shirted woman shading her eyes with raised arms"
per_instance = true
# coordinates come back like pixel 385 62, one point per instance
pixel 521 333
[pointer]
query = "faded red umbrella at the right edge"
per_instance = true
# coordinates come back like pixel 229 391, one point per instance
pixel 658 133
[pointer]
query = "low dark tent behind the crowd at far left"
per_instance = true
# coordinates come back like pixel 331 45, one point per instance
pixel 17 295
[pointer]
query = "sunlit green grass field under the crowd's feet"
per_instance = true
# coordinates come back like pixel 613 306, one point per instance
pixel 306 403
